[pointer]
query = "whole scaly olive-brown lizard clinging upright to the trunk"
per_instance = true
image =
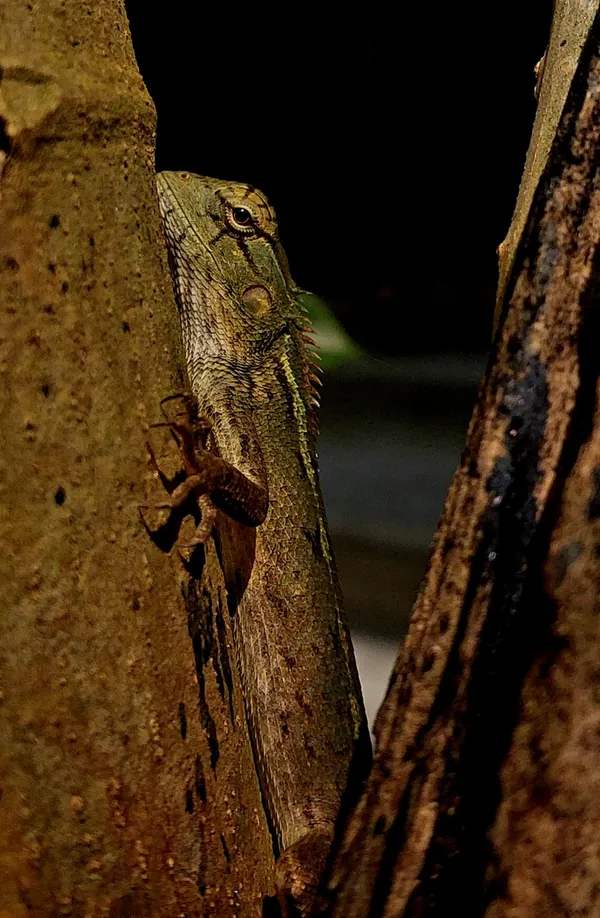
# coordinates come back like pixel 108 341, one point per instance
pixel 251 366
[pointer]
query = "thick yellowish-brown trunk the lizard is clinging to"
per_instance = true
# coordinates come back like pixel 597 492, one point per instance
pixel 128 786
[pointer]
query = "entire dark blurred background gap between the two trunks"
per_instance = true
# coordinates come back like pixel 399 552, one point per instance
pixel 390 138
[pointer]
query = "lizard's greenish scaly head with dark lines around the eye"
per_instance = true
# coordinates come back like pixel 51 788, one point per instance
pixel 238 304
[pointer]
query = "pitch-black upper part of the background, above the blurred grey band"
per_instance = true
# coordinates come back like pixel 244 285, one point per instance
pixel 390 142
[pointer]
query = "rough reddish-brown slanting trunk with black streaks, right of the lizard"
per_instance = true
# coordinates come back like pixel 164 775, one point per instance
pixel 483 798
